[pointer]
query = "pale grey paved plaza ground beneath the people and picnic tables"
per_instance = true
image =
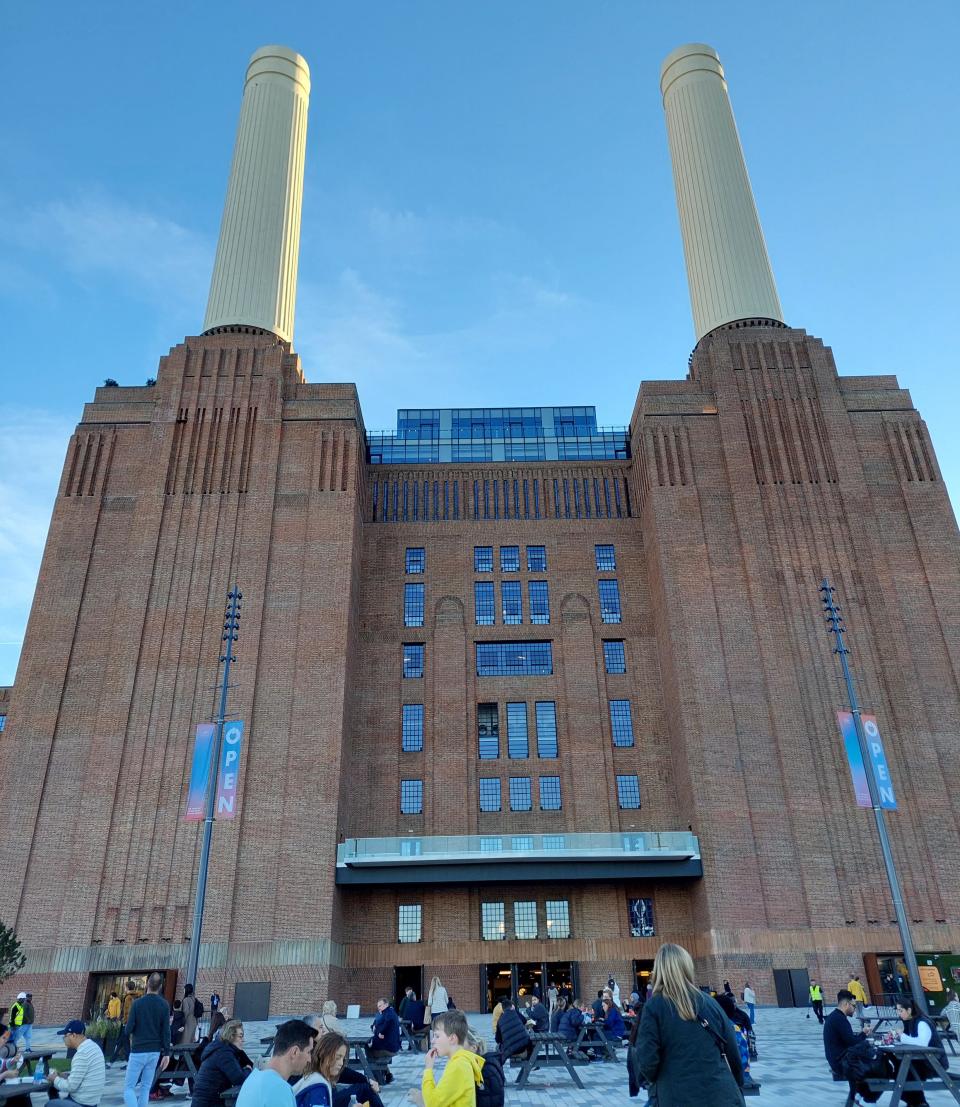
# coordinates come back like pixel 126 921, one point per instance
pixel 792 1070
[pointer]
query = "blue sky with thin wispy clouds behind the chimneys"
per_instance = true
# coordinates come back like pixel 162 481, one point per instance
pixel 489 210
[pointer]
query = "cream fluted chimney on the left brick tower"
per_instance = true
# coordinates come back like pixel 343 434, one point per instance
pixel 255 273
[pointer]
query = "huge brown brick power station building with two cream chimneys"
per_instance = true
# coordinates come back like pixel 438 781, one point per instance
pixel 523 698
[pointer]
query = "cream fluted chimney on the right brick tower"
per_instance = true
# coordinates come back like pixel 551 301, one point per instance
pixel 728 268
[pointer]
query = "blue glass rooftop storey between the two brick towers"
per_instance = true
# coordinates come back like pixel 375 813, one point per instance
pixel 497 434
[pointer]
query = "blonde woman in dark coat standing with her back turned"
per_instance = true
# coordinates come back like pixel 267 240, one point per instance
pixel 686 1048
